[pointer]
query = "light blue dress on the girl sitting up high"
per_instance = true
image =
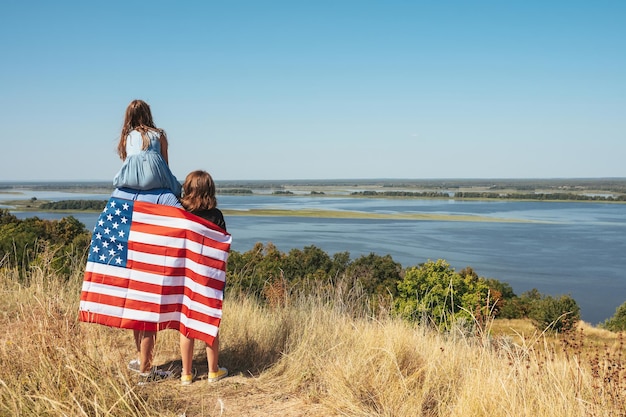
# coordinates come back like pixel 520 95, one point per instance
pixel 145 169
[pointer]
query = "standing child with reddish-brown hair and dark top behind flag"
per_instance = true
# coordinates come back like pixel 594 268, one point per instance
pixel 199 199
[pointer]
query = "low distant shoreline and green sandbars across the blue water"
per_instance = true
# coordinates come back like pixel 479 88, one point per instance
pixel 574 190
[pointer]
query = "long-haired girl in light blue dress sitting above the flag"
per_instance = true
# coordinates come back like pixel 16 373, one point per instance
pixel 143 148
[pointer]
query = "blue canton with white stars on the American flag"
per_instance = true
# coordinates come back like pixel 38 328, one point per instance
pixel 109 242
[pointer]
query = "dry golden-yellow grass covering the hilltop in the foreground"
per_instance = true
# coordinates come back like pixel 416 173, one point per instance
pixel 321 355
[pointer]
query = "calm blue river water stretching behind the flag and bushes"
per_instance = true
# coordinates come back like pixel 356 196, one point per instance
pixel 579 250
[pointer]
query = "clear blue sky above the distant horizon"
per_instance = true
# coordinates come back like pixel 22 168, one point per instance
pixel 318 89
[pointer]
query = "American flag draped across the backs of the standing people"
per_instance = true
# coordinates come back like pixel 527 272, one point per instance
pixel 153 267
